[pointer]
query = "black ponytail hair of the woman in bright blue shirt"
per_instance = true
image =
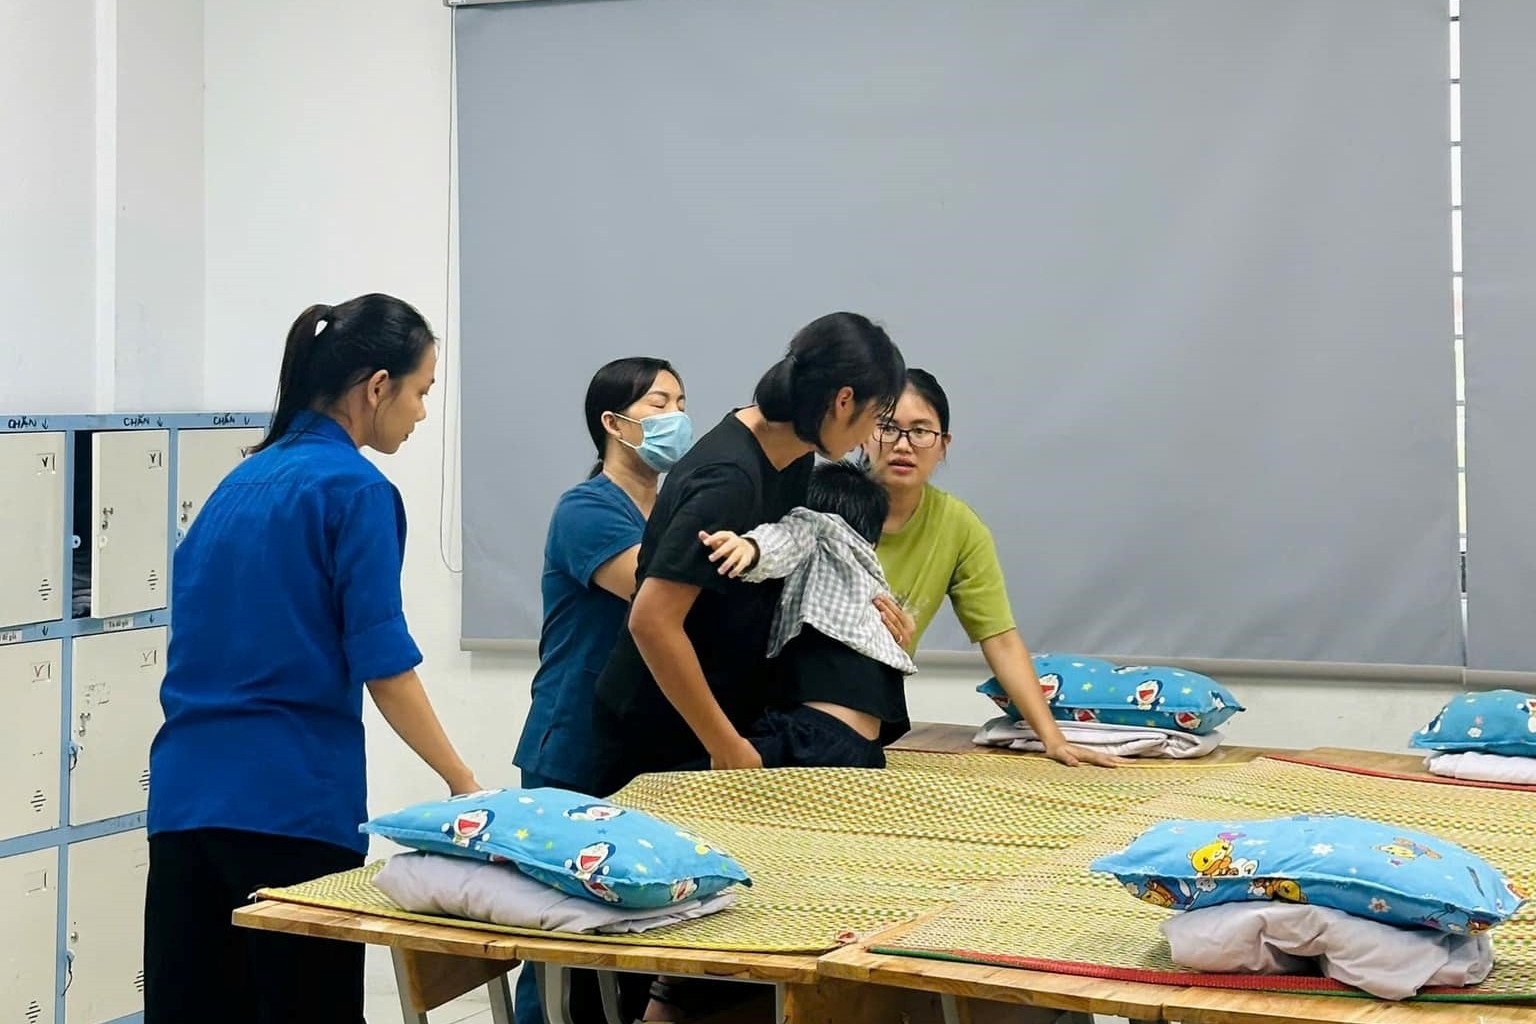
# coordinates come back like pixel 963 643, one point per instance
pixel 333 349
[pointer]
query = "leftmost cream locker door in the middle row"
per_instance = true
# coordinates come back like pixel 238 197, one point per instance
pixel 31 678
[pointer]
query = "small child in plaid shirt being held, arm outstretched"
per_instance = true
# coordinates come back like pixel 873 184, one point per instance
pixel 842 673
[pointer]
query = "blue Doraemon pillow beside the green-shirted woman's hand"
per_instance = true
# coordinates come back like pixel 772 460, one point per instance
pixel 1091 690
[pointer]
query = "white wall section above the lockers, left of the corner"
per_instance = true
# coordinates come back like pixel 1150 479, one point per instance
pixel 102 206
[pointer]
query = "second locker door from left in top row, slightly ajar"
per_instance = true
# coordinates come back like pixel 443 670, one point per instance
pixel 130 521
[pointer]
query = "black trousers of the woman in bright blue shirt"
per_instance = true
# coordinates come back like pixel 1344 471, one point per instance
pixel 199 966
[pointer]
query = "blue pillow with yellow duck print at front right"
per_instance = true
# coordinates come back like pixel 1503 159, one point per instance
pixel 1371 870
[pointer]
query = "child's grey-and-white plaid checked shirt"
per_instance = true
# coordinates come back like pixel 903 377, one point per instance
pixel 832 578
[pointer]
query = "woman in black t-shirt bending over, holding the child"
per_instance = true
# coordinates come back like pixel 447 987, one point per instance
pixel 690 672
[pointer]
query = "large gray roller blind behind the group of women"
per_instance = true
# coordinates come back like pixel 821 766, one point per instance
pixel 1183 268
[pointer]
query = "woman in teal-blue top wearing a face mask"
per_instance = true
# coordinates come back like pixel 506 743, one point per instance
pixel 637 420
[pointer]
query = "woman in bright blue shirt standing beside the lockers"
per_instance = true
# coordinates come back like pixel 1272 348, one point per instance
pixel 288 607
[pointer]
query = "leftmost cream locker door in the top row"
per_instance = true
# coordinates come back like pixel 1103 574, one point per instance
pixel 31 529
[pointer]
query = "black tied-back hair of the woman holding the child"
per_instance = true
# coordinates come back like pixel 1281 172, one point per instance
pixel 827 355
